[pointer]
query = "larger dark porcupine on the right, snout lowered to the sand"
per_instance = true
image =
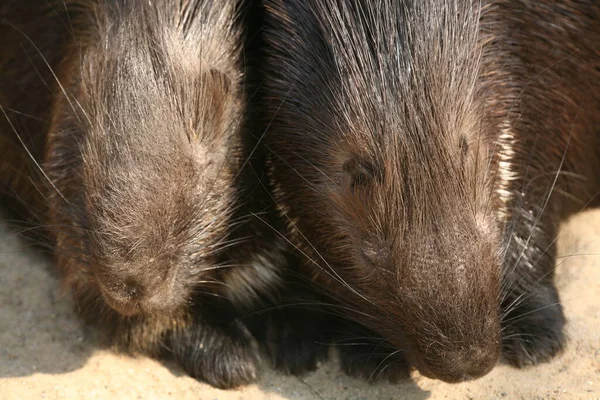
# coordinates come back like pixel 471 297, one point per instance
pixel 423 154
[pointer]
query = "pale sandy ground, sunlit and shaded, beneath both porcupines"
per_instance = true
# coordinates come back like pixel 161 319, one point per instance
pixel 45 352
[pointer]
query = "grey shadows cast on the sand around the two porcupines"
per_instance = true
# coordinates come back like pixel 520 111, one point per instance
pixel 40 333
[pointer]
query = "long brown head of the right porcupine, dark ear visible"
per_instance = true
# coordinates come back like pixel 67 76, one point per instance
pixel 383 176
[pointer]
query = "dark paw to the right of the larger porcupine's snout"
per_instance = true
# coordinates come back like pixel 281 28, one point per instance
pixel 533 332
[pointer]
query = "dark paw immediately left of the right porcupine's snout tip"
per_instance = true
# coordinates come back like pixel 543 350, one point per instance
pixel 373 363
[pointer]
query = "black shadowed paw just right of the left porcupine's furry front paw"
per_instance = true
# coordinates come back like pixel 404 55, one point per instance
pixel 294 343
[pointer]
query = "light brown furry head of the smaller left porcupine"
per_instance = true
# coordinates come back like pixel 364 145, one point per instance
pixel 139 158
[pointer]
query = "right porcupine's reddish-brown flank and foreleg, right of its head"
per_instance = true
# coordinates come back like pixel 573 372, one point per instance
pixel 546 162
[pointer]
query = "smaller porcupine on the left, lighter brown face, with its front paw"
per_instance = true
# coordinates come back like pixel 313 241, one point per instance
pixel 123 123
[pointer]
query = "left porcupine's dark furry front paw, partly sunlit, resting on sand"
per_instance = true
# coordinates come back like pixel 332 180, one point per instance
pixel 224 357
